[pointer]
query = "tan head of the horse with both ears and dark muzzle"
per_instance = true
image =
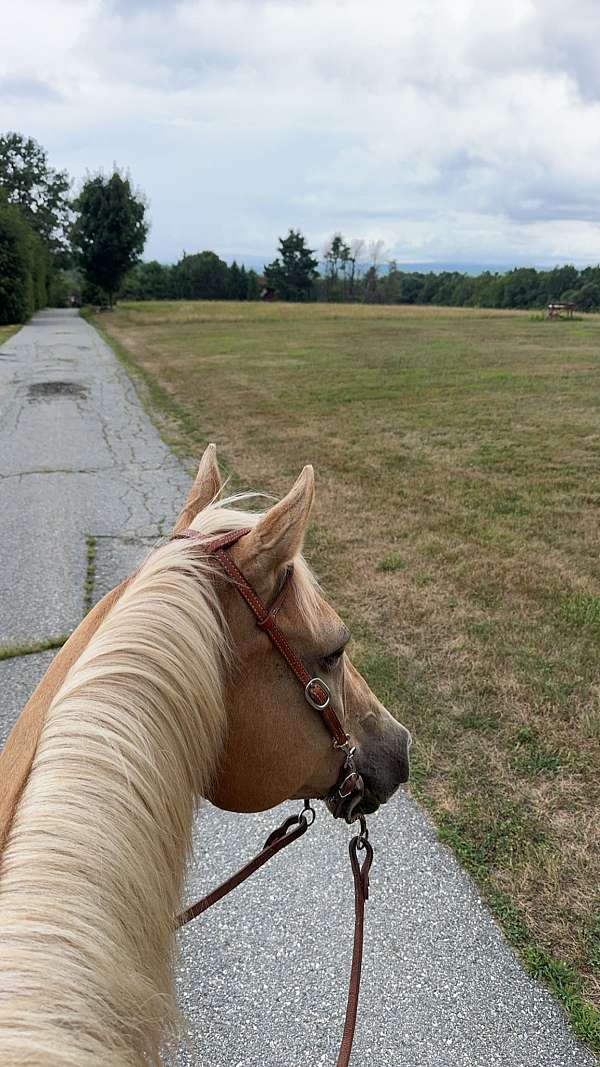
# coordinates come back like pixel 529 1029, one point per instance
pixel 277 746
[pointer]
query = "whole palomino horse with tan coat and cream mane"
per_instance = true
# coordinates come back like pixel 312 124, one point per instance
pixel 167 693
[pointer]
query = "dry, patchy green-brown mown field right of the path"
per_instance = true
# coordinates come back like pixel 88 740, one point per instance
pixel 457 456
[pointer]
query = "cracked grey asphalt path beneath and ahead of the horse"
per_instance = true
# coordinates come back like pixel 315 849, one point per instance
pixel 263 977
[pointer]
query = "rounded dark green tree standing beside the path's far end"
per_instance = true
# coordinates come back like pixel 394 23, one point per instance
pixel 110 232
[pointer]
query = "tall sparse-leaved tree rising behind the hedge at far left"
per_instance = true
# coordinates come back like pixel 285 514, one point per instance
pixel 41 194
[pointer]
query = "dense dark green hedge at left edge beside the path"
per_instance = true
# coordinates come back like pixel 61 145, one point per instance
pixel 24 268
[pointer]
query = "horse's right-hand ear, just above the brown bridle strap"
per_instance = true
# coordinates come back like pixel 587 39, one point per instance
pixel 281 533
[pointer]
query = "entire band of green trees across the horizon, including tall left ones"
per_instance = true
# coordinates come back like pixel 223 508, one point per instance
pixel 56 249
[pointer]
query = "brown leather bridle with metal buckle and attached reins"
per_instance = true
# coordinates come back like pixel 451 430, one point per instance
pixel 344 800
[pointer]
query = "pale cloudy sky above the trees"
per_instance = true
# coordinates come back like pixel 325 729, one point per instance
pixel 453 131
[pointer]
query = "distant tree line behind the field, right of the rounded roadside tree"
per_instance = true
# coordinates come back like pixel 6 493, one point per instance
pixel 356 273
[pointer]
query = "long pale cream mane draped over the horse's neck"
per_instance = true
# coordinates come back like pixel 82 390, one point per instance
pixel 93 868
